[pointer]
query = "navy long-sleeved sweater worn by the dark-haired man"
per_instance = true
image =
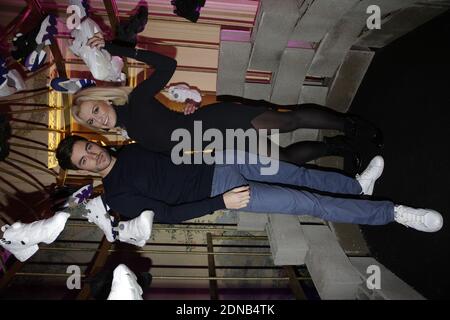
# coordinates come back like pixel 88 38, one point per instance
pixel 145 180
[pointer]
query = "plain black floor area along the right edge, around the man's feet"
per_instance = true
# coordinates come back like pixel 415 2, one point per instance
pixel 406 92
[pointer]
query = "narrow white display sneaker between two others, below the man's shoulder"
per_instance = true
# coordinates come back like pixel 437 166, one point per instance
pixel 98 214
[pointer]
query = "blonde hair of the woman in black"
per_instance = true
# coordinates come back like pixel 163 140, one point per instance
pixel 117 95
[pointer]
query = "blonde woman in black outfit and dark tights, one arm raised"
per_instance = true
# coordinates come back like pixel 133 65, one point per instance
pixel 149 122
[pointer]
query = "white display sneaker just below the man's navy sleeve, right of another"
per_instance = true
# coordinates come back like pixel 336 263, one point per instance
pixel 138 230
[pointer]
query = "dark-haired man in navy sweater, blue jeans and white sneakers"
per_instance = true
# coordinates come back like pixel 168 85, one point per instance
pixel 139 179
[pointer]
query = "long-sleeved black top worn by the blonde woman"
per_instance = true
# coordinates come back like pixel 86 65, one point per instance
pixel 151 124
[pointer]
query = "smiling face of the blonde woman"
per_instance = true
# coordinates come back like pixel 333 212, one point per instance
pixel 98 114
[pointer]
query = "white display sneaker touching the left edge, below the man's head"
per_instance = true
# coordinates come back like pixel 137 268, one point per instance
pixel 21 239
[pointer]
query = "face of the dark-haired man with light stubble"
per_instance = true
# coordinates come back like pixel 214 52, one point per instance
pixel 90 156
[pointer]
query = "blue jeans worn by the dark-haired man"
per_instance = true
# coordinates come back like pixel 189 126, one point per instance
pixel 266 197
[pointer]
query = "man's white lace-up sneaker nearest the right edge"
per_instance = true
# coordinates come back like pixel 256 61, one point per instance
pixel 426 220
